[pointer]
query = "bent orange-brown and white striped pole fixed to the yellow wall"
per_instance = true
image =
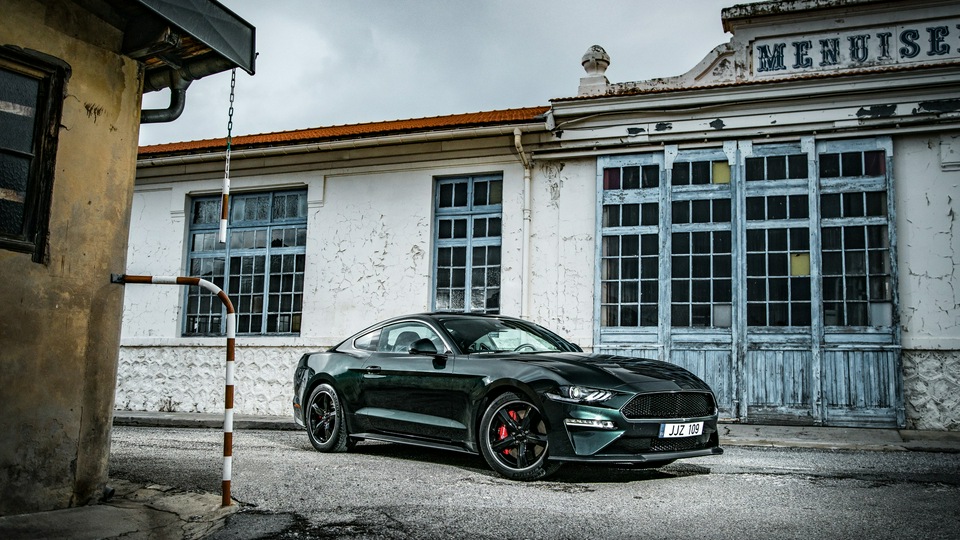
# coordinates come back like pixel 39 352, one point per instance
pixel 231 345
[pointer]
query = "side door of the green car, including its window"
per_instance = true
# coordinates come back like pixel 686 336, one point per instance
pixel 411 394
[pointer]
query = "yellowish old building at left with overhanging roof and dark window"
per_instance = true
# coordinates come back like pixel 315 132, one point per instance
pixel 72 75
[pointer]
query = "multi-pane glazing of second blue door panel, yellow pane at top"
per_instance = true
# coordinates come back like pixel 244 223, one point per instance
pixel 700 244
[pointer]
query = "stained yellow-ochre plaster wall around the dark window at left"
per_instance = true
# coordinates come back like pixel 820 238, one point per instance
pixel 60 329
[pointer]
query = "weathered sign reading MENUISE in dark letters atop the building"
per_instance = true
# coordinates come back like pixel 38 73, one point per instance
pixel 893 45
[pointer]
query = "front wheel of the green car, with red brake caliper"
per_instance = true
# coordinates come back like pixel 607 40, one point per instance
pixel 513 439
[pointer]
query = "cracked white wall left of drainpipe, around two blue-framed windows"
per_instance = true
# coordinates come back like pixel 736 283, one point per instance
pixel 368 257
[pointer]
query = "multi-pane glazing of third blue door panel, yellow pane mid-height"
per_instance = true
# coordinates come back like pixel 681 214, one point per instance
pixel 778 236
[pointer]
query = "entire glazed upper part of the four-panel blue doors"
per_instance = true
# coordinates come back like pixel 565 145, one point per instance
pixel 774 233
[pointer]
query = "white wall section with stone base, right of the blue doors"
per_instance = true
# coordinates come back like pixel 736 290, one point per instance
pixel 928 200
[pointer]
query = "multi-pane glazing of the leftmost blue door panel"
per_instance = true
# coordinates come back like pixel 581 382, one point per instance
pixel 629 250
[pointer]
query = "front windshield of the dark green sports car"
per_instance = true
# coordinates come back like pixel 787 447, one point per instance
pixel 481 335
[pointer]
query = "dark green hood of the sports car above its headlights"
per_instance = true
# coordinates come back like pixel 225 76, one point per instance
pixel 617 372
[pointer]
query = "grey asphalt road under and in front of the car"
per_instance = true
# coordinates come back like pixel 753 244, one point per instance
pixel 390 491
